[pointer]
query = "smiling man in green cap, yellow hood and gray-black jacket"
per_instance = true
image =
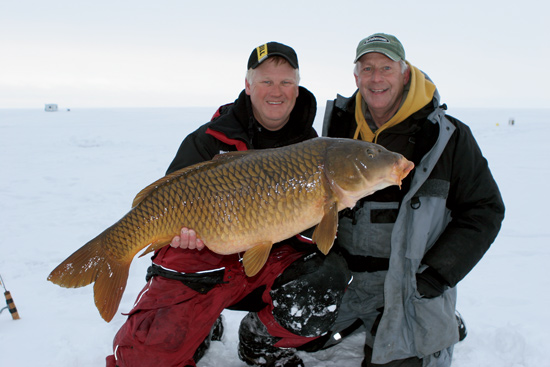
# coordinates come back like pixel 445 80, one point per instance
pixel 408 248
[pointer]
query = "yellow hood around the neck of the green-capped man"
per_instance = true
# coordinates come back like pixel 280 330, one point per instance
pixel 421 91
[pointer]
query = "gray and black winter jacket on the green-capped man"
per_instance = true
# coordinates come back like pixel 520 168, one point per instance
pixel 446 220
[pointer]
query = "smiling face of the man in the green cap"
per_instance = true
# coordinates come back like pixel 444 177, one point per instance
pixel 381 84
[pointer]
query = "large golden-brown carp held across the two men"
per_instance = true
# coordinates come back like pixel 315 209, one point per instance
pixel 237 202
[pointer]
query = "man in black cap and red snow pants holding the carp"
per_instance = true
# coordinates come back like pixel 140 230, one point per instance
pixel 291 301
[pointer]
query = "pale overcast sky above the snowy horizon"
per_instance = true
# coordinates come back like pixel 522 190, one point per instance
pixel 178 53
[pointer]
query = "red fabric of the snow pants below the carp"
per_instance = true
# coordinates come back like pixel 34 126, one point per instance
pixel 170 320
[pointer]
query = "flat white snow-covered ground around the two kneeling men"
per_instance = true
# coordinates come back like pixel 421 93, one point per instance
pixel 66 176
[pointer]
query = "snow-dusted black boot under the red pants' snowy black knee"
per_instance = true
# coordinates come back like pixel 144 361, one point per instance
pixel 256 346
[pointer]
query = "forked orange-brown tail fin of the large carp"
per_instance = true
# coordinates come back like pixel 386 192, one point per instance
pixel 91 263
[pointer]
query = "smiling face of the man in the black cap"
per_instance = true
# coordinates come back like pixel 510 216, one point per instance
pixel 273 92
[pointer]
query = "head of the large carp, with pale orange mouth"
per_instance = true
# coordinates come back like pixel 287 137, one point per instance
pixel 356 169
